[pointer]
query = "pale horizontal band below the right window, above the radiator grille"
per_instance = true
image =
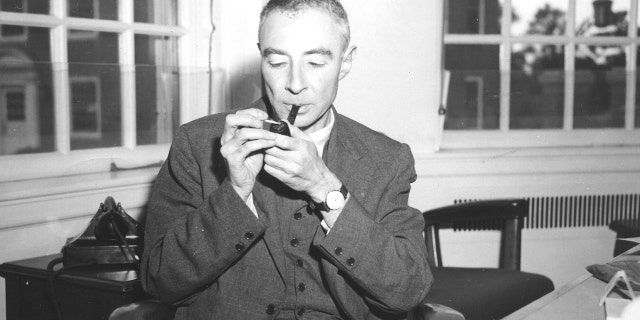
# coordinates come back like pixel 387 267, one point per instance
pixel 505 161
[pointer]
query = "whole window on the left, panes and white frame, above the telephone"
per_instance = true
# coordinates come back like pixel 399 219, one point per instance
pixel 104 79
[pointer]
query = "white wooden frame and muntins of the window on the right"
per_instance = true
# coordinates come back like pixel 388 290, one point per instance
pixel 567 136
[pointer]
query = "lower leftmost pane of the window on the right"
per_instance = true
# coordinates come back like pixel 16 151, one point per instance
pixel 474 88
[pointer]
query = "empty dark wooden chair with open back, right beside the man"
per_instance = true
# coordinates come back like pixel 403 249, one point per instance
pixel 482 293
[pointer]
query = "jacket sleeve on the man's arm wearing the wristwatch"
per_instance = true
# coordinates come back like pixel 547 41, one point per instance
pixel 381 253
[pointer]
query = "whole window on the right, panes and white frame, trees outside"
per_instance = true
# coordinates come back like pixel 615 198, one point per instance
pixel 541 73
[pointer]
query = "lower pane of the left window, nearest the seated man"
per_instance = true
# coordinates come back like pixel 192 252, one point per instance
pixel 156 88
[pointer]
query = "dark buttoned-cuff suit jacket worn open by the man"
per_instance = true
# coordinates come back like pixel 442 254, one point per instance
pixel 208 254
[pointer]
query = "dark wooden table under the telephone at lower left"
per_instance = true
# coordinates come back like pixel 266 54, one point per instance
pixel 91 292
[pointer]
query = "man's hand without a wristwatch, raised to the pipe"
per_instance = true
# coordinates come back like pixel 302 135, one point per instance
pixel 242 145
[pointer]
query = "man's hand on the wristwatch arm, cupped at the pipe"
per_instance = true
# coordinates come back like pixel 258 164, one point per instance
pixel 295 161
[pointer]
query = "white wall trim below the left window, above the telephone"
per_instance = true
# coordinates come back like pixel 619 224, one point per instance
pixel 40 201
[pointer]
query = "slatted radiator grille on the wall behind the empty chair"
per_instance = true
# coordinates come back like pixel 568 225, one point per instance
pixel 578 211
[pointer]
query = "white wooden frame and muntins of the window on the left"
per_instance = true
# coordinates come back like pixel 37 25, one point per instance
pixel 64 161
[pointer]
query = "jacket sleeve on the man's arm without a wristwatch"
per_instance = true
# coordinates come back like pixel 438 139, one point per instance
pixel 192 237
